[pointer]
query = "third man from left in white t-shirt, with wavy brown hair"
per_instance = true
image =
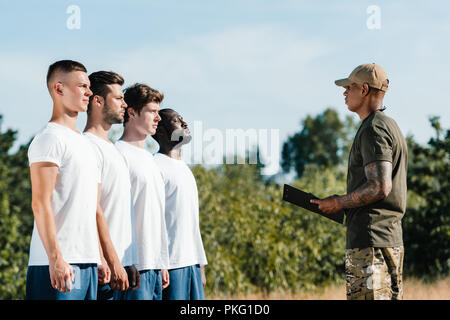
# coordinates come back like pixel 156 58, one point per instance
pixel 147 191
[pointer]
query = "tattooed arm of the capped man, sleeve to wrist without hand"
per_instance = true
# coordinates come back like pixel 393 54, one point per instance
pixel 377 187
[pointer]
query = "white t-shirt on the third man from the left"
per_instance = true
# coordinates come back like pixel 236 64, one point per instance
pixel 148 201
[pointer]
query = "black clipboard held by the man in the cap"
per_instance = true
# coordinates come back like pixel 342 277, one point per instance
pixel 301 199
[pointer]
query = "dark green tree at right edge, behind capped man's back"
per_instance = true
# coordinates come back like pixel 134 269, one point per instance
pixel 427 219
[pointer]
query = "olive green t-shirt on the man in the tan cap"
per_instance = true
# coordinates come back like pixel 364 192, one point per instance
pixel 378 224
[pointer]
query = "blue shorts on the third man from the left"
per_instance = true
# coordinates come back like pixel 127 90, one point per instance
pixel 150 288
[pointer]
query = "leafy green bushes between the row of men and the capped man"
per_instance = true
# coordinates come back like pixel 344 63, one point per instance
pixel 254 241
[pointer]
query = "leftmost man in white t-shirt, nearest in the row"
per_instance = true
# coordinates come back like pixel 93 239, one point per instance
pixel 65 176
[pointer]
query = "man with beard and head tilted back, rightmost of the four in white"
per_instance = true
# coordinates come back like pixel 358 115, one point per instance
pixel 186 253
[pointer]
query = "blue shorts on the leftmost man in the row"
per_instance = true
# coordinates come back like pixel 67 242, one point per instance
pixel 84 287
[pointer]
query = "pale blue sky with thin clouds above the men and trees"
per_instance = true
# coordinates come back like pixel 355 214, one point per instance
pixel 232 64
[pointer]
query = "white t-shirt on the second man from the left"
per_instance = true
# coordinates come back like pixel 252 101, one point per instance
pixel 115 199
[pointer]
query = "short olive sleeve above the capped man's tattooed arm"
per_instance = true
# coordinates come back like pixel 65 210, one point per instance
pixel 376 145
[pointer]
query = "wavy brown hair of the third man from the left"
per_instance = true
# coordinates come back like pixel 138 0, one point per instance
pixel 138 95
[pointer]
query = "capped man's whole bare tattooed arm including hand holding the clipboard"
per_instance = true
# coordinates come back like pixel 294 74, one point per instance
pixel 377 187
